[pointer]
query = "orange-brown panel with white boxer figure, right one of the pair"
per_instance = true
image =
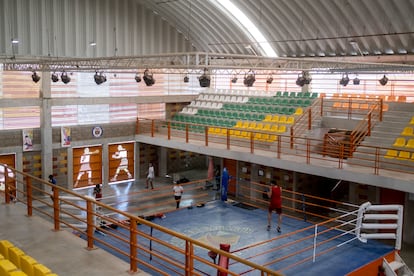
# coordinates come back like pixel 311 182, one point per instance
pixel 121 162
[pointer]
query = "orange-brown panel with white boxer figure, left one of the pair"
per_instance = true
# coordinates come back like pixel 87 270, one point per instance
pixel 87 166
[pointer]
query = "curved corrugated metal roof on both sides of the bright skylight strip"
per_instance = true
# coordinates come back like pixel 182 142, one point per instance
pixel 297 28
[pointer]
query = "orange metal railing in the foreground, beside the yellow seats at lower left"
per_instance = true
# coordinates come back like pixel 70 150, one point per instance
pixel 120 226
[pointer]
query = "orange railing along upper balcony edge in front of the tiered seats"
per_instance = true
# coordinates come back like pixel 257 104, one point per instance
pixel 306 149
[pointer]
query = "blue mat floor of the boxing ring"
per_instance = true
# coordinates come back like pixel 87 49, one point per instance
pixel 220 222
